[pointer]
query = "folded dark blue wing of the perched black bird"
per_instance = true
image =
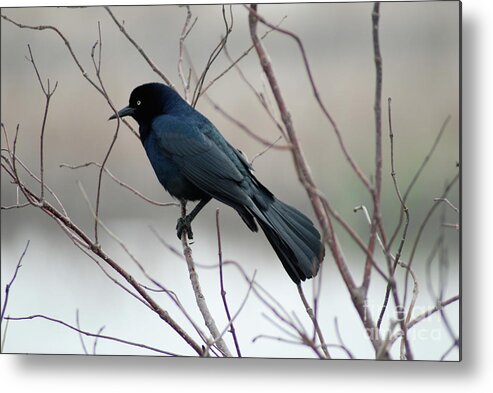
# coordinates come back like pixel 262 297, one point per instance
pixel 200 159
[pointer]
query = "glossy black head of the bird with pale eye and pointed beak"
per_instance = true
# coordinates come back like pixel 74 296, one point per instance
pixel 148 101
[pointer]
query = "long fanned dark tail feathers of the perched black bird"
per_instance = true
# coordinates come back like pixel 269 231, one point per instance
pixel 293 236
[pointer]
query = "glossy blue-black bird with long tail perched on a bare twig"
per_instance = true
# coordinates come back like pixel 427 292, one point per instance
pixel 194 162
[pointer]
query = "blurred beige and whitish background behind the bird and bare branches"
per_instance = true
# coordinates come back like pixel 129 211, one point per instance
pixel 420 49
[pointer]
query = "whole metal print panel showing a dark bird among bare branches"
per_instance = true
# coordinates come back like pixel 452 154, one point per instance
pixel 266 181
